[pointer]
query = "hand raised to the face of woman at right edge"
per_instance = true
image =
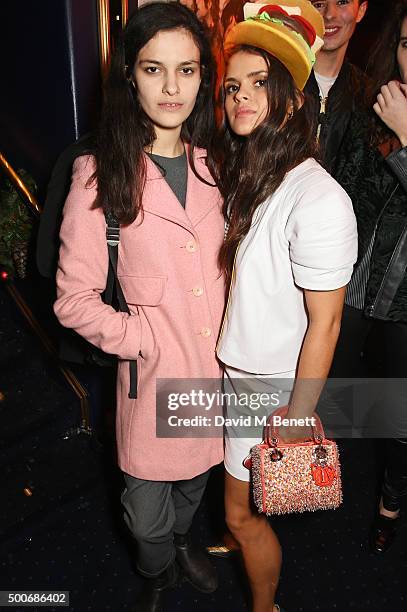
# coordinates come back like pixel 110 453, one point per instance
pixel 391 107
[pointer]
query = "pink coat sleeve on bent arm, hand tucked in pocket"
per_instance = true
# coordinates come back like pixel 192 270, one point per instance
pixel 82 273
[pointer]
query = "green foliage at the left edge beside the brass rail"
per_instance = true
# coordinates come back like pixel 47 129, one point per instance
pixel 16 221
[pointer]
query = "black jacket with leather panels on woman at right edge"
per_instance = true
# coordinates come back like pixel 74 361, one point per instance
pixel 378 189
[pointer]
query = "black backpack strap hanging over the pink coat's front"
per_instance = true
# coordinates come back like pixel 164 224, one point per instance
pixel 113 240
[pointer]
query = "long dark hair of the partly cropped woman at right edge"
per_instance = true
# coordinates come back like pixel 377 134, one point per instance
pixel 383 66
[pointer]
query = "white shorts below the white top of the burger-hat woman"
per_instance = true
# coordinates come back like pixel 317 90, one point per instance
pixel 239 382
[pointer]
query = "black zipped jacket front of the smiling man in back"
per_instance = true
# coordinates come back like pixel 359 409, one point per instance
pixel 331 116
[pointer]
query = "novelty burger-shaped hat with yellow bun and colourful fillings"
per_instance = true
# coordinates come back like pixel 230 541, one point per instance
pixel 290 30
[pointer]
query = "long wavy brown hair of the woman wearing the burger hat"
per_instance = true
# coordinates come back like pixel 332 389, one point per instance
pixel 253 167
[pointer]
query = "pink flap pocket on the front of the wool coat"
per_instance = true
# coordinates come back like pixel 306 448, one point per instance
pixel 143 290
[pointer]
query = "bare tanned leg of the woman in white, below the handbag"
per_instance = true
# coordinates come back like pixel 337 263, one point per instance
pixel 259 545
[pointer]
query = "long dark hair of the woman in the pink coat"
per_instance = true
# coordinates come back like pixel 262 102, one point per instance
pixel 125 129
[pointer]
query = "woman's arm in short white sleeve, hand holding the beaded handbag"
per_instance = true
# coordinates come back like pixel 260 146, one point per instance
pixel 323 247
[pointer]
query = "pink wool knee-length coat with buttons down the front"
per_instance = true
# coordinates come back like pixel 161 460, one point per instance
pixel 168 271
